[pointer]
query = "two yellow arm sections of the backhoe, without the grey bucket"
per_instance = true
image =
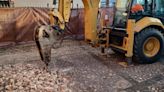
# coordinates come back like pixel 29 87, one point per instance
pixel 64 11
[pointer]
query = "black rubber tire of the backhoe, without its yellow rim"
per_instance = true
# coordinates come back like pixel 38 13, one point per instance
pixel 140 38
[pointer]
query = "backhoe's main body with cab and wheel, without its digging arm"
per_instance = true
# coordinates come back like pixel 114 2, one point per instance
pixel 137 30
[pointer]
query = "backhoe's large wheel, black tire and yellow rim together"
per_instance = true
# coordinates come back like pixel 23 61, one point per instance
pixel 148 46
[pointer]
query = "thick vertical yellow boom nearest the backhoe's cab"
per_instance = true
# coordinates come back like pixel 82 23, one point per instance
pixel 91 11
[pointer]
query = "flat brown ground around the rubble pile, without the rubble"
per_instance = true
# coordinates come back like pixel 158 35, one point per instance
pixel 89 71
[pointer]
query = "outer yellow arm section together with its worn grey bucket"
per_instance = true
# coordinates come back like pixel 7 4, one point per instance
pixel 46 36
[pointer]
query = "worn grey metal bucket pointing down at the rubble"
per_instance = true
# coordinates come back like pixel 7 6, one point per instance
pixel 46 37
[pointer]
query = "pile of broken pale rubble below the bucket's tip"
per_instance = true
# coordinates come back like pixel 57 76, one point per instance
pixel 29 78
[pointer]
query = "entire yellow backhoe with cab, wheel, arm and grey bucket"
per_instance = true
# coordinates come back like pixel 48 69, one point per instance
pixel 136 32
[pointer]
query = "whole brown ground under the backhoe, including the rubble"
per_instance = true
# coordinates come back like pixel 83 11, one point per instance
pixel 77 68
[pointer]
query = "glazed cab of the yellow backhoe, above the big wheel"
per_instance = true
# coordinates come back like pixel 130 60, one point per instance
pixel 137 9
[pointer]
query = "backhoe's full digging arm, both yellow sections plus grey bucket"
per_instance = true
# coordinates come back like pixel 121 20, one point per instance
pixel 46 36
